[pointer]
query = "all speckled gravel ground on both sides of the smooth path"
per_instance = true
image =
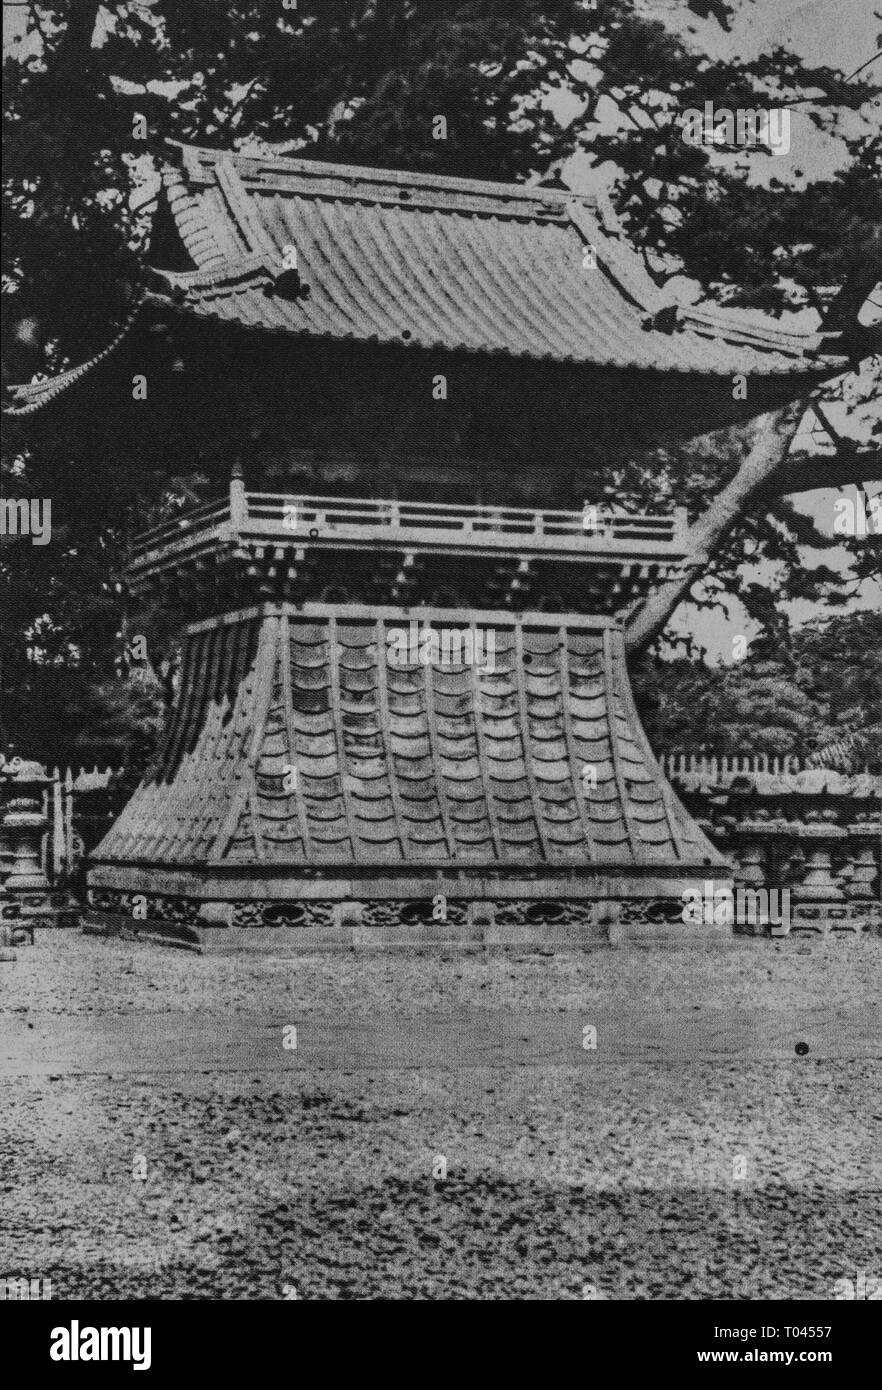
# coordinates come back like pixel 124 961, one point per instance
pixel 562 1182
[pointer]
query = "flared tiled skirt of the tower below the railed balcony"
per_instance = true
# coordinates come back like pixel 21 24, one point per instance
pixel 301 740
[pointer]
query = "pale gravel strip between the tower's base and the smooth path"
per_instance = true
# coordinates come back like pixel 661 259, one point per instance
pixel 67 974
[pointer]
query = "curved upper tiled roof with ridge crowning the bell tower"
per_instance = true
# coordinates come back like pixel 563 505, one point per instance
pixel 431 262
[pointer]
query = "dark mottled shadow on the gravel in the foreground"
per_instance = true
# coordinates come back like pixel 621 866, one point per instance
pixel 495 1239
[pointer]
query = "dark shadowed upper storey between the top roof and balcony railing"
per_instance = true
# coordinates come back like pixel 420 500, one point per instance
pixel 348 419
